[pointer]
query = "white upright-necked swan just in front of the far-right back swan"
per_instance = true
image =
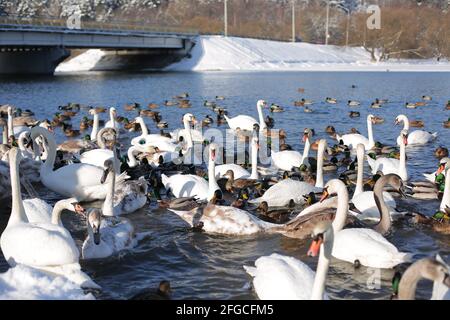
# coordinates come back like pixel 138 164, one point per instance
pixel 390 165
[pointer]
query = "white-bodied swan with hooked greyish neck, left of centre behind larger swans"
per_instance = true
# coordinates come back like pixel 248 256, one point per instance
pixel 97 157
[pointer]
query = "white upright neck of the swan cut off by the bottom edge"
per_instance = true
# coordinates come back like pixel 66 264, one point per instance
pixel 322 266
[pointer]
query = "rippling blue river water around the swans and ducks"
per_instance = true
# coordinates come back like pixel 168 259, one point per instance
pixel 203 266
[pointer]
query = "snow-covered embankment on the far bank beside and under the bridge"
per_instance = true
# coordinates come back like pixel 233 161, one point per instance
pixel 217 53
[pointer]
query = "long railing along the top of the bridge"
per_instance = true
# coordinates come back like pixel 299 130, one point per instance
pixel 60 23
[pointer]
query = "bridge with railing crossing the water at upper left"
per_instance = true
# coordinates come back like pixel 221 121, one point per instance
pixel 38 46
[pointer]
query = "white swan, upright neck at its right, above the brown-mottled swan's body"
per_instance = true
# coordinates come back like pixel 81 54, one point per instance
pixel 187 185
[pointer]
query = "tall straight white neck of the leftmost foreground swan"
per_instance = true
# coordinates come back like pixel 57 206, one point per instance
pixel 17 209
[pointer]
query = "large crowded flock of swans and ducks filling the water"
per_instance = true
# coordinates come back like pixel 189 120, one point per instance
pixel 348 217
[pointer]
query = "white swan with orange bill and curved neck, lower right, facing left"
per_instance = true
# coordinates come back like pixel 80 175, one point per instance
pixel 363 245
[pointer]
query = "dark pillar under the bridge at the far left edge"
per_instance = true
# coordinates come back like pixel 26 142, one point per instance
pixel 42 60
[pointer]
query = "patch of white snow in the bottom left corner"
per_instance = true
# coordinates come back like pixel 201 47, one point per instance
pixel 25 283
